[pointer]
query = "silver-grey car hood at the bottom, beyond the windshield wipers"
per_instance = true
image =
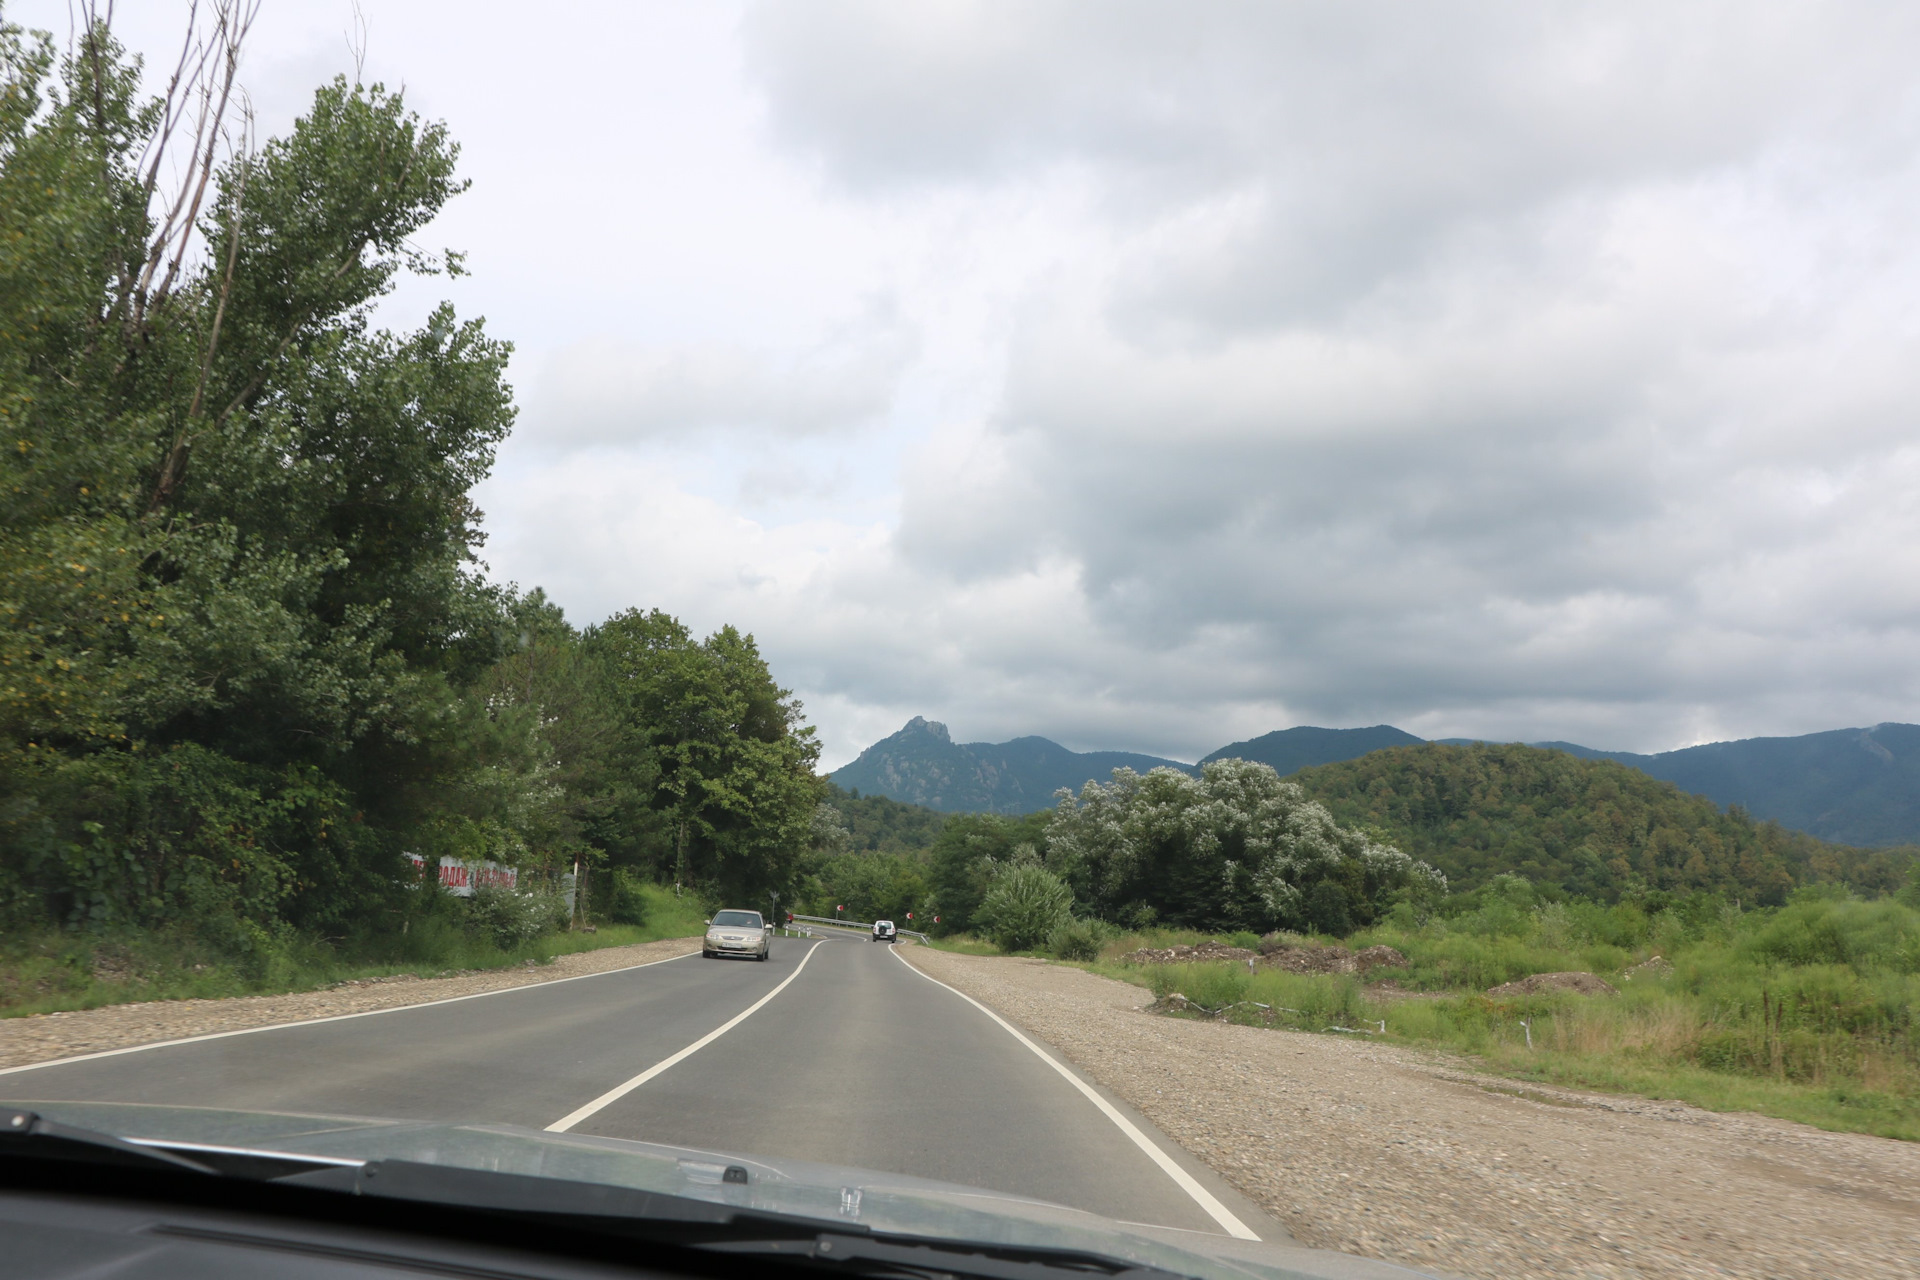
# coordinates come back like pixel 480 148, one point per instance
pixel 838 1197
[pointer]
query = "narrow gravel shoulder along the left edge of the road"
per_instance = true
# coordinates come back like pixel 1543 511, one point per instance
pixel 47 1037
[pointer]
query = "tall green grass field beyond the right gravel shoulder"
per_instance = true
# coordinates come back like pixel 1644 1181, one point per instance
pixel 1804 1012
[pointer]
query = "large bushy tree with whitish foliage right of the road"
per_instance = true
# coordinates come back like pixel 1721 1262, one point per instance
pixel 1232 849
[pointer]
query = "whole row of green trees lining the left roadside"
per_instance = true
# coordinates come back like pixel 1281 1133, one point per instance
pixel 249 663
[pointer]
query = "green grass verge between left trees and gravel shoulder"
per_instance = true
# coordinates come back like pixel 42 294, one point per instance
pixel 57 970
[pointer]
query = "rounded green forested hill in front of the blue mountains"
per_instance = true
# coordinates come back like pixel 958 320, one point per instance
pixel 1591 828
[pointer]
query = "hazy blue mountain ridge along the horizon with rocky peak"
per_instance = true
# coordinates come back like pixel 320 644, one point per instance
pixel 1844 786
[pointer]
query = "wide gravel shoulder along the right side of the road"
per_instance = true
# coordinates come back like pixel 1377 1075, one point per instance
pixel 1412 1158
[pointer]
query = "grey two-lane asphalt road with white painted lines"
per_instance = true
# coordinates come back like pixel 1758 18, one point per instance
pixel 859 1062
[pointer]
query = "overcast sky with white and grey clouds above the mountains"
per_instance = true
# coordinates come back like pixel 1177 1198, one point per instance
pixel 1159 375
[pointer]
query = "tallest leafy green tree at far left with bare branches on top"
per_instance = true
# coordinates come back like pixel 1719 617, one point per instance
pixel 235 534
